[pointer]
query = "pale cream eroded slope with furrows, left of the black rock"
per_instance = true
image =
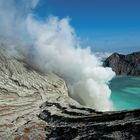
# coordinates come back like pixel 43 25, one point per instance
pixel 22 91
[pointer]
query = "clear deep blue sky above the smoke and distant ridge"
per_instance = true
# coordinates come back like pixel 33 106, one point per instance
pixel 105 25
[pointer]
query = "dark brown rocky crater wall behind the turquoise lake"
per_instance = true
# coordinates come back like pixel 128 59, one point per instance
pixel 124 64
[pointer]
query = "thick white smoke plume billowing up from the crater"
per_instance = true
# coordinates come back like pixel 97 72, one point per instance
pixel 56 48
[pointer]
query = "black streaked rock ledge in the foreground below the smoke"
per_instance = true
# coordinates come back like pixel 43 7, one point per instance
pixel 83 123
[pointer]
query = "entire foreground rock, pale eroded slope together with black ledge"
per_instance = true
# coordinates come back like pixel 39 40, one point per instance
pixel 36 106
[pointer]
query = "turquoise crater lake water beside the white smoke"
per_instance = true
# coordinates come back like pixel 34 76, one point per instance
pixel 125 92
